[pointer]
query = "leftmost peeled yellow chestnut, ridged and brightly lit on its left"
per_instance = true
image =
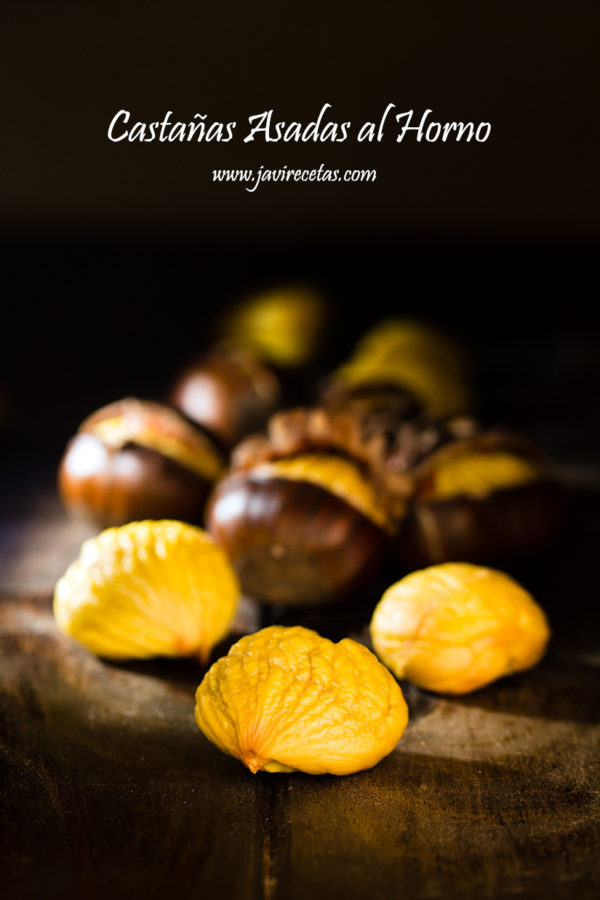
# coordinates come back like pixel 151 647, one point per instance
pixel 151 588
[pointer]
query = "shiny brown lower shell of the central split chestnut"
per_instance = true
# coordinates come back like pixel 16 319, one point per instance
pixel 292 542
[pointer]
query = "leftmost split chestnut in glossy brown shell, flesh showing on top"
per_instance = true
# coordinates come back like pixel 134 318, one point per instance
pixel 134 460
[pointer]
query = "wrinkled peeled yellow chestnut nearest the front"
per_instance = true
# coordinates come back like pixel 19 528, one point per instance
pixel 287 699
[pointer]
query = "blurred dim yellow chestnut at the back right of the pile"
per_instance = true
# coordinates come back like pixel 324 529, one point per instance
pixel 411 357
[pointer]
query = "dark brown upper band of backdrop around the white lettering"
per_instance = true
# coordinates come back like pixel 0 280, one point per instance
pixel 530 69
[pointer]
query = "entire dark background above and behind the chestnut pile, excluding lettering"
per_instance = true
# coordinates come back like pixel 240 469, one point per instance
pixel 118 255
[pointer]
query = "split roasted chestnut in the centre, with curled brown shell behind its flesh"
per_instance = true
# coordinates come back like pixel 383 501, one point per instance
pixel 300 514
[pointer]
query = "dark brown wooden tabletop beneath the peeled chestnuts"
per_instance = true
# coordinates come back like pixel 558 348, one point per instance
pixel 110 790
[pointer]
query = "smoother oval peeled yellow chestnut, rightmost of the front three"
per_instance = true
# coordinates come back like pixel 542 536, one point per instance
pixel 455 627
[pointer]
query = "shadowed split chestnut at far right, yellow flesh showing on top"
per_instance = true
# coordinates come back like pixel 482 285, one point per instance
pixel 487 498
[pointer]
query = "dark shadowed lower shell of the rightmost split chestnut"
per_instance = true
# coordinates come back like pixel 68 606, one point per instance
pixel 507 524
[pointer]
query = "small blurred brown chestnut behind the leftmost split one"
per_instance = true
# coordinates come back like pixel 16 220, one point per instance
pixel 230 392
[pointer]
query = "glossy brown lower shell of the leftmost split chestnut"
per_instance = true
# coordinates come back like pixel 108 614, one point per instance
pixel 113 486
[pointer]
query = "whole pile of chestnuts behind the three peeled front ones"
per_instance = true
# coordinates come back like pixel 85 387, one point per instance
pixel 384 465
